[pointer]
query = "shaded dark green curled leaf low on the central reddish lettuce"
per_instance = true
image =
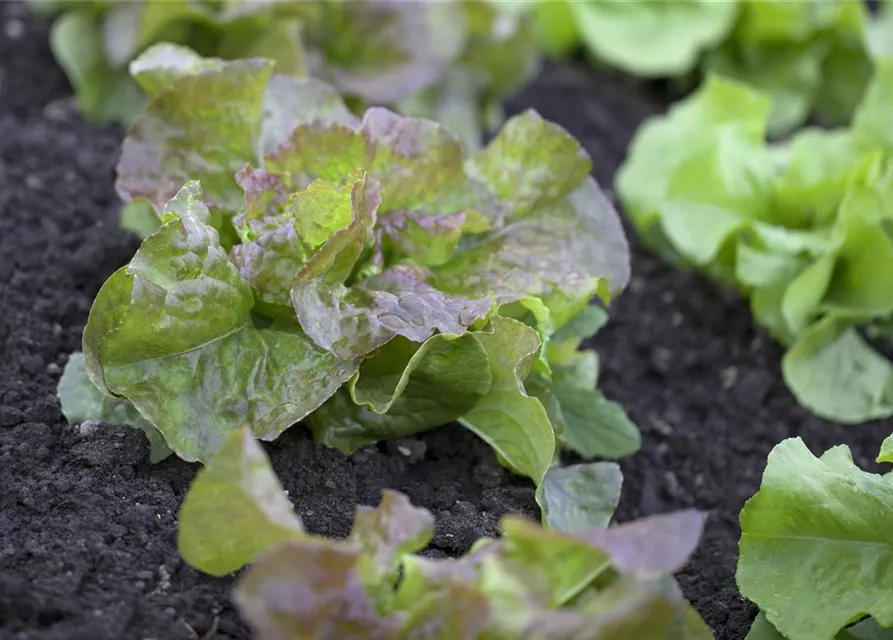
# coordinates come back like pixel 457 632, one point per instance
pixel 403 389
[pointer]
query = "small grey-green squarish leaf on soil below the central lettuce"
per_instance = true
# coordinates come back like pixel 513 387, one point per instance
pixel 581 496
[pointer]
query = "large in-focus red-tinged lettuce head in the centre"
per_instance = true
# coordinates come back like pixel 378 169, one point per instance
pixel 358 274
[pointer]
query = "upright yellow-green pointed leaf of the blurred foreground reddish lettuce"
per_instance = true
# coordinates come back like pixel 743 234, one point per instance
pixel 235 509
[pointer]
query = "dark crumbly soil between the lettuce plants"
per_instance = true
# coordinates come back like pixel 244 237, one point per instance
pixel 87 525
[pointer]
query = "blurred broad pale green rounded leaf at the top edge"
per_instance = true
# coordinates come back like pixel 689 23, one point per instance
pixel 653 38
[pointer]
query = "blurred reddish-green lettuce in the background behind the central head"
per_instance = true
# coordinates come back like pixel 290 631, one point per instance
pixel 452 60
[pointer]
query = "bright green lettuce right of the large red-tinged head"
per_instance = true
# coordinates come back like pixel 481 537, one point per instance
pixel 803 228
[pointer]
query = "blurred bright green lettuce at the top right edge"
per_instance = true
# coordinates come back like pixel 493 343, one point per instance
pixel 811 56
